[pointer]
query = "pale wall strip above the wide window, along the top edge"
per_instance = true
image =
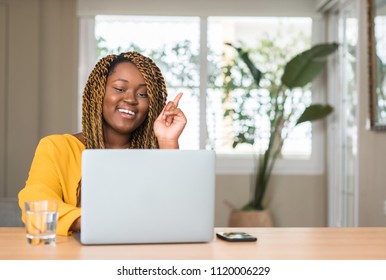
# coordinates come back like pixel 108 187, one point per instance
pixel 199 7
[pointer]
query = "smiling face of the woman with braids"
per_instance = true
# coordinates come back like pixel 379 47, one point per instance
pixel 126 103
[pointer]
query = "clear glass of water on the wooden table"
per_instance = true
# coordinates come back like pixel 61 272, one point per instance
pixel 41 218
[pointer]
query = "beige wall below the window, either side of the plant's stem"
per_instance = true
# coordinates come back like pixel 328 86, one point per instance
pixel 294 201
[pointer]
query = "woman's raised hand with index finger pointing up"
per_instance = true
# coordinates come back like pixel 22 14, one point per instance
pixel 170 124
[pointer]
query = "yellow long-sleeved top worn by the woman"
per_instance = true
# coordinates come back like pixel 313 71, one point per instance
pixel 54 175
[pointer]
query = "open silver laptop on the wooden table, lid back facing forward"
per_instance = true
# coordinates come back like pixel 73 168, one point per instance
pixel 147 196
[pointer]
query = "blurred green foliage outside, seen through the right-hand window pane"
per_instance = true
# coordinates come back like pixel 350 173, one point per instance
pixel 250 108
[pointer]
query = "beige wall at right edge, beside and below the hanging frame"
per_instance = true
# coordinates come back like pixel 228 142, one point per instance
pixel 372 148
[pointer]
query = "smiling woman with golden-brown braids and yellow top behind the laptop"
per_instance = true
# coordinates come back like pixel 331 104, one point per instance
pixel 123 108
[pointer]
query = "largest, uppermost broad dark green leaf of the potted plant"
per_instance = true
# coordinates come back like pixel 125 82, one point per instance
pixel 304 67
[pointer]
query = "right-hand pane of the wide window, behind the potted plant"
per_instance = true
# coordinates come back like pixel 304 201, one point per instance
pixel 274 41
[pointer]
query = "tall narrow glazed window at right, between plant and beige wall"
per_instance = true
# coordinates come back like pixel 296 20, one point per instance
pixel 343 165
